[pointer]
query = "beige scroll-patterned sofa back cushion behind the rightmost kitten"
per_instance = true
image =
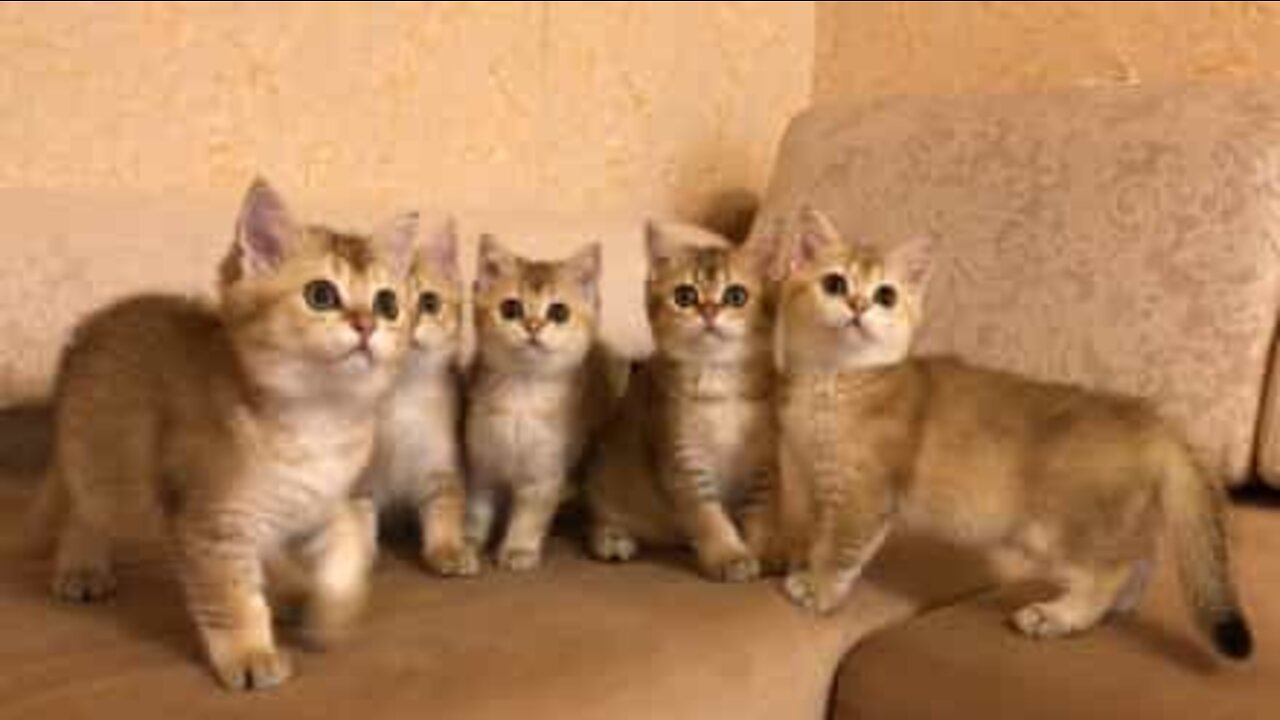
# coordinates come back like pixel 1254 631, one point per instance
pixel 1123 239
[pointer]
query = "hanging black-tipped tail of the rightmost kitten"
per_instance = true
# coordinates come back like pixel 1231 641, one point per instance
pixel 1195 512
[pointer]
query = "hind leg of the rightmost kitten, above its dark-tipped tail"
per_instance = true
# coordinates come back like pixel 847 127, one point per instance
pixel 1089 595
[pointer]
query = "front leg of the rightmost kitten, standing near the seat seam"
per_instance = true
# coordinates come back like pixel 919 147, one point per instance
pixel 848 536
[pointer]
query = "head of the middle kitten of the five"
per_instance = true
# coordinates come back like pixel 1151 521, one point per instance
pixel 536 317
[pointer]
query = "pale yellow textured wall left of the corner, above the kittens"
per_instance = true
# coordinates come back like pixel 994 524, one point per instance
pixel 572 107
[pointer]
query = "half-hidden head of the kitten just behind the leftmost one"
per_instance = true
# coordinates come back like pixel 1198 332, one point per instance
pixel 437 298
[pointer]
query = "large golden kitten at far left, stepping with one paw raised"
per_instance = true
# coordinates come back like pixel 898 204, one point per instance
pixel 239 430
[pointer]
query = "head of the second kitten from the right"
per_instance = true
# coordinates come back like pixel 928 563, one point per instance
pixel 708 304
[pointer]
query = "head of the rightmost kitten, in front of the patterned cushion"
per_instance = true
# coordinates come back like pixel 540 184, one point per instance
pixel 847 306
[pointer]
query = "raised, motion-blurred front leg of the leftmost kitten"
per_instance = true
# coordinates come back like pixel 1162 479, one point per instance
pixel 340 560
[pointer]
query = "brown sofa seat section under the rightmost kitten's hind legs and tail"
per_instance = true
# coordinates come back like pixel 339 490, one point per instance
pixel 963 662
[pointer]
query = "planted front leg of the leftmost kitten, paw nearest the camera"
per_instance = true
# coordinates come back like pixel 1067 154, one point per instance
pixel 222 576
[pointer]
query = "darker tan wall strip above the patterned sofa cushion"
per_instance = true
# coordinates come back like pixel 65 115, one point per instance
pixel 868 49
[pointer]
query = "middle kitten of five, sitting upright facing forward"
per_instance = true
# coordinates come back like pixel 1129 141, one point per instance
pixel 538 391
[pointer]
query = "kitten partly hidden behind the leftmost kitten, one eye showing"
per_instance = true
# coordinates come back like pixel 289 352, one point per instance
pixel 418 458
